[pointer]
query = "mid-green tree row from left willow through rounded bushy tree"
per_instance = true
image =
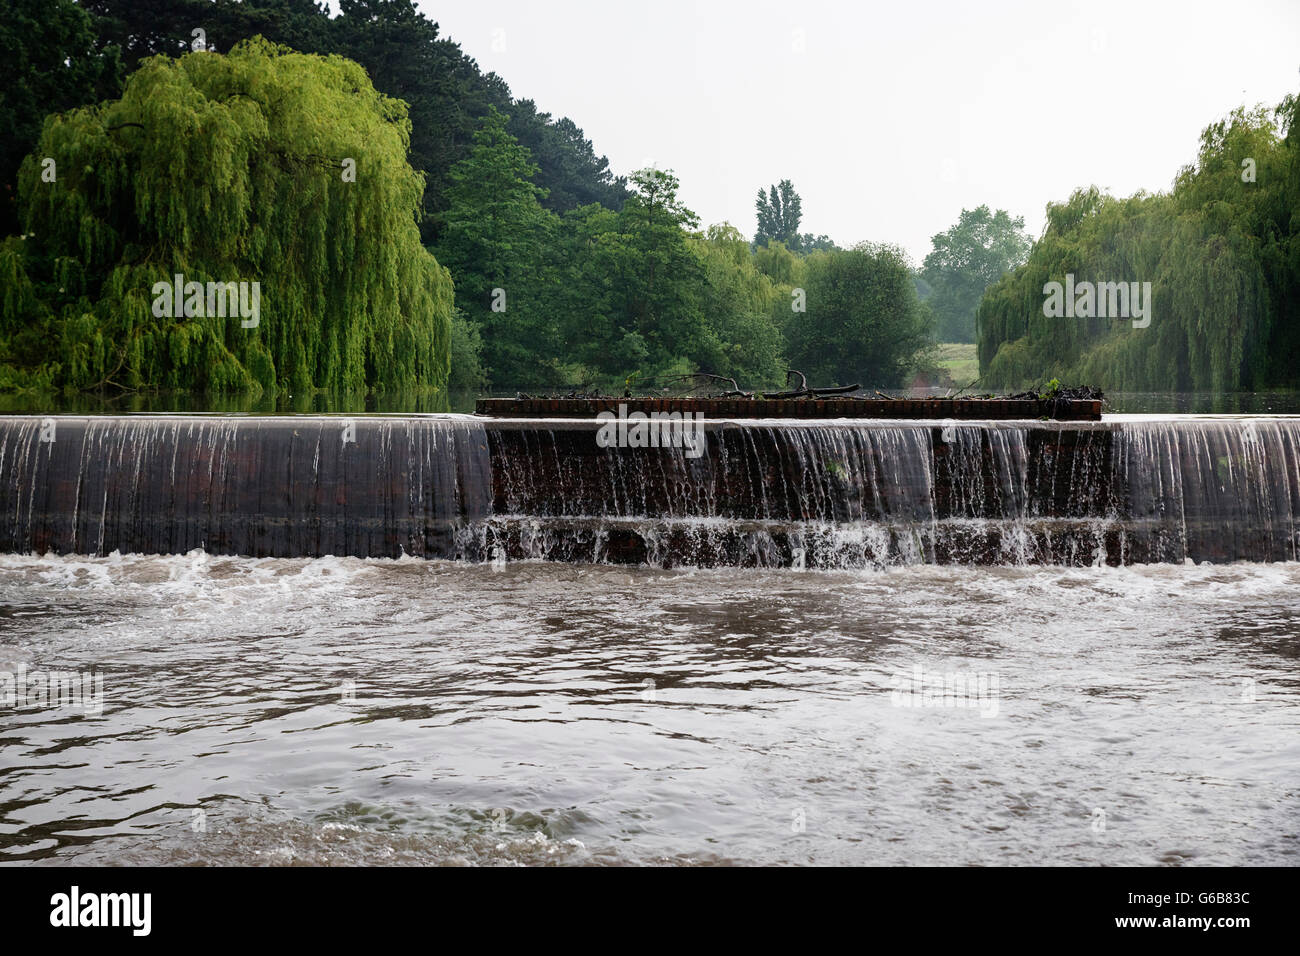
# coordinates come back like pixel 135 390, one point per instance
pixel 642 296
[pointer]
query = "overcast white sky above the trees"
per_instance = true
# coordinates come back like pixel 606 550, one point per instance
pixel 889 118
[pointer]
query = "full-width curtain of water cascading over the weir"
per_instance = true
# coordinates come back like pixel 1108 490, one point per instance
pixel 837 494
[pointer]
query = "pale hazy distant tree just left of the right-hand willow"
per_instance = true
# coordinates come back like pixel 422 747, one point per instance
pixel 977 252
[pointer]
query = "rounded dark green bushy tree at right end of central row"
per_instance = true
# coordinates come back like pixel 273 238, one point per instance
pixel 864 322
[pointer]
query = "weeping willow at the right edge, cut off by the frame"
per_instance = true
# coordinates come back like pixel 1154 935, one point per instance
pixel 1221 252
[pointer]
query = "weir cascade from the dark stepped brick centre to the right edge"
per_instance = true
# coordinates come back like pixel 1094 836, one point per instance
pixel 879 494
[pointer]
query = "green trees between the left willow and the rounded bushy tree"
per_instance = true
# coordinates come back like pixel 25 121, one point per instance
pixel 597 297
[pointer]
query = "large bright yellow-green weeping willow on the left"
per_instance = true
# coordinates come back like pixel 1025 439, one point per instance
pixel 261 166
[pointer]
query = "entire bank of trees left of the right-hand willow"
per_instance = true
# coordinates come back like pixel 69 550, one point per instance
pixel 482 244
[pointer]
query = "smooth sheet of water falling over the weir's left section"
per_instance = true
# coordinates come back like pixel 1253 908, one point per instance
pixel 233 486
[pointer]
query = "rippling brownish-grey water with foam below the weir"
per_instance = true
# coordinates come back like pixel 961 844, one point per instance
pixel 410 712
